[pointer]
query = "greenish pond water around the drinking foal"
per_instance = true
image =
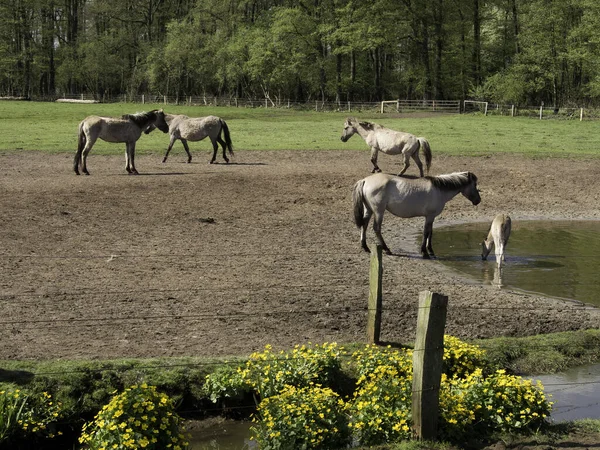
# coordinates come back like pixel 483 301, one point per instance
pixel 555 258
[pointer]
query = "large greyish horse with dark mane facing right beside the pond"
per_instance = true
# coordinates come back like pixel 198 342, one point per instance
pixel 408 197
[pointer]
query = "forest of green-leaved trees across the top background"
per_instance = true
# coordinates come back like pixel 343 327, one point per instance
pixel 503 51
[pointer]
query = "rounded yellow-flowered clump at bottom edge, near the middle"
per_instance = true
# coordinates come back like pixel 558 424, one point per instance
pixel 301 418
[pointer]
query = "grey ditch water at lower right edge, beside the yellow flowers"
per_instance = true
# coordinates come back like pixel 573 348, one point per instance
pixel 575 393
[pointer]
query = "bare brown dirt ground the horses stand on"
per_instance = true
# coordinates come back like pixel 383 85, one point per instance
pixel 198 259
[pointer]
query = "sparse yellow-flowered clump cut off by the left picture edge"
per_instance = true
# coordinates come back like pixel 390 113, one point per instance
pixel 24 414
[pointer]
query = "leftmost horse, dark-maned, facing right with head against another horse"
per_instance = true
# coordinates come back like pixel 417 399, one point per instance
pixel 127 129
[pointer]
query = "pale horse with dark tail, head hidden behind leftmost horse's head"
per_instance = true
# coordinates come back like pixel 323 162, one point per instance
pixel 194 129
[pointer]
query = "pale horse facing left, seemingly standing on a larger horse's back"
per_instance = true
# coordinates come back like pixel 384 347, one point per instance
pixel 389 141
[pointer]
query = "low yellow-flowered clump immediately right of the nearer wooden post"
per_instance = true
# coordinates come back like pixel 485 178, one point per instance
pixel 497 403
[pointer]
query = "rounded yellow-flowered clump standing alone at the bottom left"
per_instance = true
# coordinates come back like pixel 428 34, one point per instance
pixel 140 417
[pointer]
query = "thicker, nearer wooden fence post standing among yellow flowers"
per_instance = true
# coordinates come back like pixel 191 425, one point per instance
pixel 428 356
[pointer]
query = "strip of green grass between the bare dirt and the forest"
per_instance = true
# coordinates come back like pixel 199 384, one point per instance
pixel 52 127
